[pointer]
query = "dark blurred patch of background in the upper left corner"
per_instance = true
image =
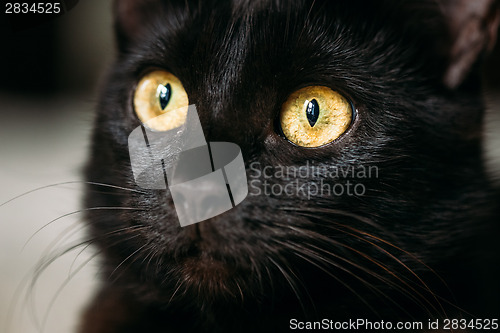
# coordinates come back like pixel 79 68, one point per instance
pixel 46 55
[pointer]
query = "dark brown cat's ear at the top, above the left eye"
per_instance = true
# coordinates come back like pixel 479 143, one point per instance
pixel 130 18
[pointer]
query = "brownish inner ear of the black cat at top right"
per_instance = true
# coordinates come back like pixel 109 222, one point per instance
pixel 473 27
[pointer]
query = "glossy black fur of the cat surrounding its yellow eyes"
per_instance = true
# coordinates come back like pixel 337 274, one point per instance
pixel 419 244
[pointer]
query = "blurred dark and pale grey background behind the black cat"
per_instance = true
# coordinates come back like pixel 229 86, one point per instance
pixel 49 76
